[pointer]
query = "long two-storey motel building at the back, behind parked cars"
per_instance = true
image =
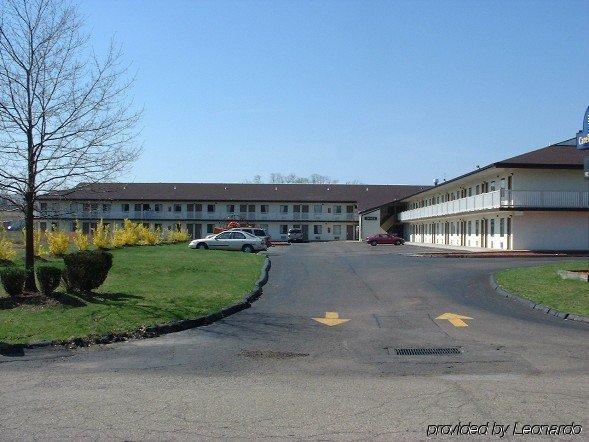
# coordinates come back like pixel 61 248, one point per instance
pixel 324 212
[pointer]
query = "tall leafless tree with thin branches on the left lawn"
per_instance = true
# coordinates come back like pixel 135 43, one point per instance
pixel 65 115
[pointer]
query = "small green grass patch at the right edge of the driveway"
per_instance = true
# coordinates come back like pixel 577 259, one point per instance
pixel 542 285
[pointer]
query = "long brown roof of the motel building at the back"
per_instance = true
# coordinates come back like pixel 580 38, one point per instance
pixel 363 195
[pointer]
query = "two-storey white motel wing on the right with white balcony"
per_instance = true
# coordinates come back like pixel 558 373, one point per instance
pixel 535 201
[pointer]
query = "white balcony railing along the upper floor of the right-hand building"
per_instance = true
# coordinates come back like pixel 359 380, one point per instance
pixel 502 199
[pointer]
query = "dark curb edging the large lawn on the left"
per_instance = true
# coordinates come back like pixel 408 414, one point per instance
pixel 156 330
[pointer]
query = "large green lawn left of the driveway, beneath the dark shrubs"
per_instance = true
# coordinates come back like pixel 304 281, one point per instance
pixel 146 286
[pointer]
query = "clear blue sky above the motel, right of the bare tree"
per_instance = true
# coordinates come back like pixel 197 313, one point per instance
pixel 381 92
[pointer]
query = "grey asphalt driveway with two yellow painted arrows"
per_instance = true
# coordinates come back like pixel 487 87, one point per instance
pixel 274 372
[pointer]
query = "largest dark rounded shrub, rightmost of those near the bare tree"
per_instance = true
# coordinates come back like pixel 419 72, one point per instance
pixel 87 270
